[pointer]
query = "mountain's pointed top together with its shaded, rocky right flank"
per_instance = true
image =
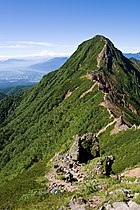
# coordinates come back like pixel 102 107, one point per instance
pixel 116 75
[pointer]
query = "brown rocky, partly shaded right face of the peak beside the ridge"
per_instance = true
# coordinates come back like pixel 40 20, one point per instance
pixel 112 69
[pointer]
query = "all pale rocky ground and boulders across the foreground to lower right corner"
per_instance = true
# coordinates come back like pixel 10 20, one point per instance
pixel 62 163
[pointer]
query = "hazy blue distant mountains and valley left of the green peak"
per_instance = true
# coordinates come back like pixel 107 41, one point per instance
pixel 26 72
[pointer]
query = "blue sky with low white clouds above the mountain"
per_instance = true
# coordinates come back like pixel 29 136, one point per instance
pixel 43 28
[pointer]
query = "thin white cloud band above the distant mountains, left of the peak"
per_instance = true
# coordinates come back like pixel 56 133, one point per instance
pixel 33 49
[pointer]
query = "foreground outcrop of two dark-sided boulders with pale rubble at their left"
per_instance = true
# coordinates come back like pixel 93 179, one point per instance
pixel 72 162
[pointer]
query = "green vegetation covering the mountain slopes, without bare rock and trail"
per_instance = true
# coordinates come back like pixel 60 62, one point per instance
pixel 37 123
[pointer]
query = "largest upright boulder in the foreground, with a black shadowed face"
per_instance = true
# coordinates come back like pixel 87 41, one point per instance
pixel 85 148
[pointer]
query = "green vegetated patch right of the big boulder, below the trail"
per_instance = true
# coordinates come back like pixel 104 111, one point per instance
pixel 124 146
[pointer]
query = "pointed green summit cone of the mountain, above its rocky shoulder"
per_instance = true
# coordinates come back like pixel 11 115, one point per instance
pixel 95 53
